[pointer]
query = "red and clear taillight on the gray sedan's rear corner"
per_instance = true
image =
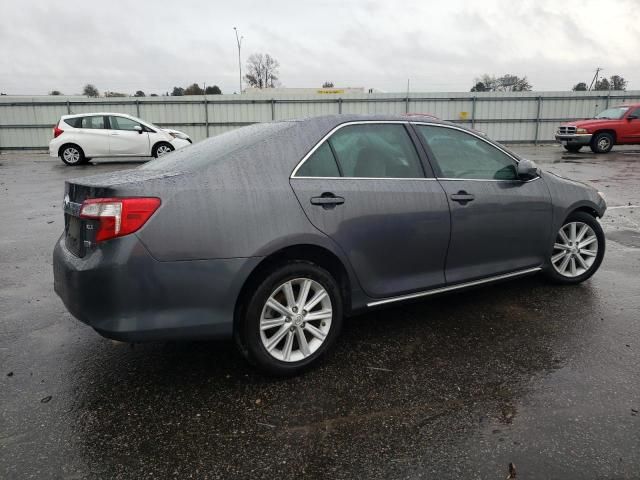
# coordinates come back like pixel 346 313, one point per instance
pixel 118 216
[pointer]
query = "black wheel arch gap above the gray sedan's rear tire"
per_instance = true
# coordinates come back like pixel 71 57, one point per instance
pixel 316 254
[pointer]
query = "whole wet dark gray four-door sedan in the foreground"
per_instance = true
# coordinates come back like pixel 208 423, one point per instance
pixel 274 232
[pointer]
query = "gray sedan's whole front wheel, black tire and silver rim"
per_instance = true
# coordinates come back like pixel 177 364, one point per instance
pixel 578 249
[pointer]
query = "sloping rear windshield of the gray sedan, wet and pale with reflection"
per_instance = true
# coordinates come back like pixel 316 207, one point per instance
pixel 213 150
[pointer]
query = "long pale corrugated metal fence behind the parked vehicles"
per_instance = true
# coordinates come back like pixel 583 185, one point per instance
pixel 26 122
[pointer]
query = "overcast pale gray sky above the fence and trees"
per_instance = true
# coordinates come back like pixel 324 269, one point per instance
pixel 440 45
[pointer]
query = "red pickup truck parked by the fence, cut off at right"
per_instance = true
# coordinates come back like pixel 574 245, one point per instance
pixel 615 126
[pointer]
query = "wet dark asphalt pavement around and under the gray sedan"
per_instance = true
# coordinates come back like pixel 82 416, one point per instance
pixel 458 386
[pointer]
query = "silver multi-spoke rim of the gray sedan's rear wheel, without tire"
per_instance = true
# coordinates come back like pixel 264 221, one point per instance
pixel 296 320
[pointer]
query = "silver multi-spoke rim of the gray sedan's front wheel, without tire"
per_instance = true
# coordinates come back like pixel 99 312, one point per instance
pixel 575 250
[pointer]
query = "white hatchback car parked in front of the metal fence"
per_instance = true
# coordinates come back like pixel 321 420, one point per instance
pixel 79 138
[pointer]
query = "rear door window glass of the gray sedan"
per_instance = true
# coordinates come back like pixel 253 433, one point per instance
pixel 376 151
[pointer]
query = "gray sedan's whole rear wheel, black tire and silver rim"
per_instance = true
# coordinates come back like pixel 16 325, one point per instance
pixel 292 318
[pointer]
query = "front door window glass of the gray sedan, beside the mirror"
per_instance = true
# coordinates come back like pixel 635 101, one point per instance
pixel 459 154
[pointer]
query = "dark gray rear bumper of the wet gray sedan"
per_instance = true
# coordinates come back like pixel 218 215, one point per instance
pixel 125 294
